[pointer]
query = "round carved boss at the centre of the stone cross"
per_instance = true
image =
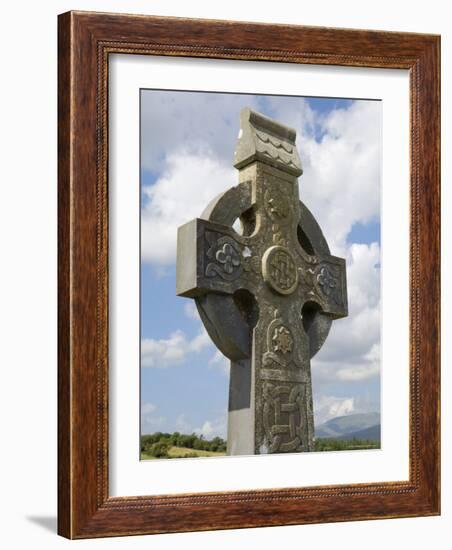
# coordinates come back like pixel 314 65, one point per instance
pixel 279 269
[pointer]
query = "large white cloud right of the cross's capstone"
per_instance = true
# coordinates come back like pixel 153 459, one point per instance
pixel 340 184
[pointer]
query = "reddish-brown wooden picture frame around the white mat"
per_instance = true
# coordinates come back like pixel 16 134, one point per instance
pixel 85 42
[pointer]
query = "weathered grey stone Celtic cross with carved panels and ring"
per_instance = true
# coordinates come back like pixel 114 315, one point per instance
pixel 267 296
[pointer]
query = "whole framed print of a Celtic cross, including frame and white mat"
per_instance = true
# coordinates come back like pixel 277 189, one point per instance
pixel 248 275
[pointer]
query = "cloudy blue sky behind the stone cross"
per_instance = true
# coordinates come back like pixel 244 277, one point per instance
pixel 187 143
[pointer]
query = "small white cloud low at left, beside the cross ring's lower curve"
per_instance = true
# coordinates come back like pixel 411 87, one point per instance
pixel 171 351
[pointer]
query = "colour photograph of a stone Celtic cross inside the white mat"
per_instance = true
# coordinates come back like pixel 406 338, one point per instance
pixel 260 274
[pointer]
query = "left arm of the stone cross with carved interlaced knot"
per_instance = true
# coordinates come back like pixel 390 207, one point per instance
pixel 211 257
